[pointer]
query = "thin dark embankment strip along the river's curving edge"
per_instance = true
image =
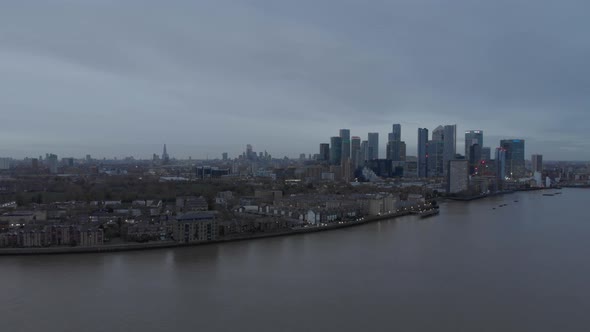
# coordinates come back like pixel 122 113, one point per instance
pixel 173 244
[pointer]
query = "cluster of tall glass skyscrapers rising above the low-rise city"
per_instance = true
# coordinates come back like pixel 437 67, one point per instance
pixel 435 150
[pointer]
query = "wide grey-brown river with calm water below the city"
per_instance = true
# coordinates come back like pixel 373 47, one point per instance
pixel 474 267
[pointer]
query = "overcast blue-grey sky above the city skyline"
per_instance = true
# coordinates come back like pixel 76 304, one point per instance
pixel 118 78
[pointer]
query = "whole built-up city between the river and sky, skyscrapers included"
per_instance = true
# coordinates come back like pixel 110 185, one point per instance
pixel 50 203
